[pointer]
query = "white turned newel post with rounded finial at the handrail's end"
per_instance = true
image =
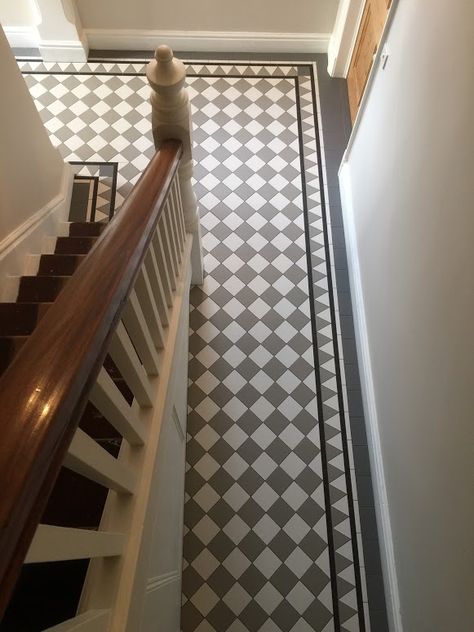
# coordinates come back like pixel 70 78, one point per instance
pixel 171 118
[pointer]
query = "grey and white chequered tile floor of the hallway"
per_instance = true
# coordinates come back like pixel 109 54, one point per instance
pixel 272 529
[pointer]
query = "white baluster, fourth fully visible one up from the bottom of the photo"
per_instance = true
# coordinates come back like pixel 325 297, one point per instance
pixel 128 363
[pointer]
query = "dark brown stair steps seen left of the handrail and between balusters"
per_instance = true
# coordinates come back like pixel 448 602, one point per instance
pixel 50 592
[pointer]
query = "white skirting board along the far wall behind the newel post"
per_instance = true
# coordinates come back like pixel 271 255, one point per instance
pixel 208 41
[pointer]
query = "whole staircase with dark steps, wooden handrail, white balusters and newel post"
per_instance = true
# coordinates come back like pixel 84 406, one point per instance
pixel 93 371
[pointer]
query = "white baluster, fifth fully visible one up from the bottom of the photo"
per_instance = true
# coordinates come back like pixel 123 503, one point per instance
pixel 137 328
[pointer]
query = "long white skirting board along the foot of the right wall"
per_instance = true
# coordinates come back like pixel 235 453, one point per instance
pixel 370 409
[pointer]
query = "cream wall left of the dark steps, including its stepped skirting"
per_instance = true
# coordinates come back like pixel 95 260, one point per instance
pixel 35 183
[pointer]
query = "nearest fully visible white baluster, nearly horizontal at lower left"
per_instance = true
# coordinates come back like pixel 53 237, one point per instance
pixel 57 544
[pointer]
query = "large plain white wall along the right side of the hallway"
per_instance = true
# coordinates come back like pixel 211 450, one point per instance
pixel 409 190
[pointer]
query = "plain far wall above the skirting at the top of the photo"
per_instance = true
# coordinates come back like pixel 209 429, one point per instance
pixel 275 16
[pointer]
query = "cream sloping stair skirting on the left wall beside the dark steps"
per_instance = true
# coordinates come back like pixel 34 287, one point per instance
pixel 29 237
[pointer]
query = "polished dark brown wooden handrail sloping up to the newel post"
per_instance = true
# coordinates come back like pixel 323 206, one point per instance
pixel 44 391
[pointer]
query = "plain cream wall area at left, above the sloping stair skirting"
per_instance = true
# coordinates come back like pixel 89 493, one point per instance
pixel 31 169
